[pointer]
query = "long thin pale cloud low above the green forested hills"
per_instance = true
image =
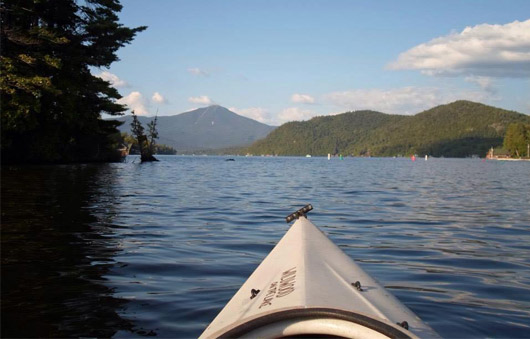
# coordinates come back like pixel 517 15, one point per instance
pixel 405 100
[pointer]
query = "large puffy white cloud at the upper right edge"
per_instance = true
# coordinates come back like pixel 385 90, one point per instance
pixel 482 50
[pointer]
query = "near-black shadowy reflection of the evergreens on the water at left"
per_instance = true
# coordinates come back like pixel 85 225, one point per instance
pixel 57 245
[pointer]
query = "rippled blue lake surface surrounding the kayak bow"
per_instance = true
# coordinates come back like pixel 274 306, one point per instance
pixel 131 250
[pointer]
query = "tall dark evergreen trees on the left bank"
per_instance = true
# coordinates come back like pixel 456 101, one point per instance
pixel 51 103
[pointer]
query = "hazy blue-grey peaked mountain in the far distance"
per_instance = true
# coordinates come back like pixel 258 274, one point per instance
pixel 211 127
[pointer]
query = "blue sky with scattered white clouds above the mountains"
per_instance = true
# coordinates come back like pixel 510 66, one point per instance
pixel 282 60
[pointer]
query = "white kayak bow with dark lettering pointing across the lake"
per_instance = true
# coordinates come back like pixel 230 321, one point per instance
pixel 307 286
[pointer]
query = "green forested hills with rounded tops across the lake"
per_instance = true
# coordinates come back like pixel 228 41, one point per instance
pixel 459 129
